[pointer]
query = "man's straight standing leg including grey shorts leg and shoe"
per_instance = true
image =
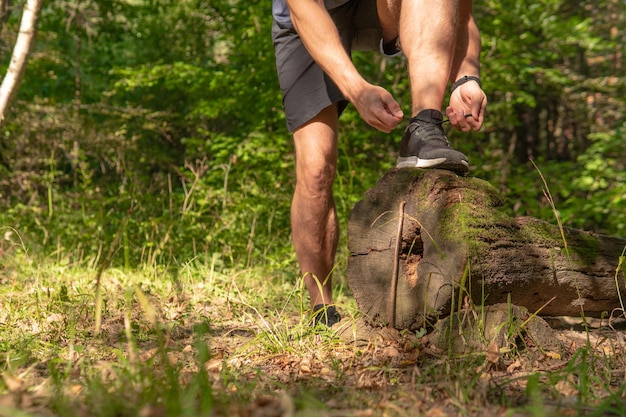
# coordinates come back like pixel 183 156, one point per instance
pixel 312 103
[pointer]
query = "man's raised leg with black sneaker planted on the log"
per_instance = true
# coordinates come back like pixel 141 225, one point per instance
pixel 427 30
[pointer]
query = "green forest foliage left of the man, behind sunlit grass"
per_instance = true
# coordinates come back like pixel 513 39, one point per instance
pixel 180 146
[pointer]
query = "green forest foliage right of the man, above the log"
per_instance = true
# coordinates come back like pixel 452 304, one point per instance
pixel 549 71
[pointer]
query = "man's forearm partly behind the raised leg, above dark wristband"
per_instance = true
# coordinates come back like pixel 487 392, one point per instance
pixel 467 49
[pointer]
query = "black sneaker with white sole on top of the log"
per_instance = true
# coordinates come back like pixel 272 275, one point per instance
pixel 425 145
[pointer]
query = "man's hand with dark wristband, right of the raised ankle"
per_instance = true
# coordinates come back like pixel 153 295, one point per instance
pixel 467 107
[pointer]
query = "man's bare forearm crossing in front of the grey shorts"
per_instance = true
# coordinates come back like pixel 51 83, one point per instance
pixel 319 35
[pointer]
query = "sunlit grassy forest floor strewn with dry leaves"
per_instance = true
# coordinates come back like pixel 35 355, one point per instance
pixel 198 342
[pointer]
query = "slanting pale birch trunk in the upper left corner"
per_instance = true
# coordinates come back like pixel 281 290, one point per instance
pixel 21 51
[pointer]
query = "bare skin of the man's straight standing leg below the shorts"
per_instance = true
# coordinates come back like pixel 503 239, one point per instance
pixel 313 216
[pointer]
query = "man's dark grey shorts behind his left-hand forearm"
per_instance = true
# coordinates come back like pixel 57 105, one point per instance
pixel 306 89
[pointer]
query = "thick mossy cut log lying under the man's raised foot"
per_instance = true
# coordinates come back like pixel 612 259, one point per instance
pixel 456 248
